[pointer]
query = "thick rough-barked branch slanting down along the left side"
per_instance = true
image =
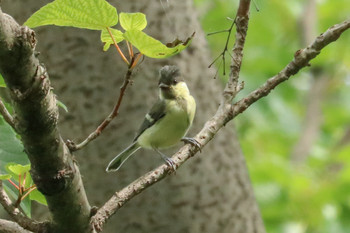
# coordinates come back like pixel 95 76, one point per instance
pixel 52 167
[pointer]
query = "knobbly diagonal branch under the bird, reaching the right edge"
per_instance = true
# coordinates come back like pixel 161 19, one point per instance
pixel 225 113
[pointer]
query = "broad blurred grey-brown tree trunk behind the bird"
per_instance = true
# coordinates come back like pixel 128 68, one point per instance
pixel 210 193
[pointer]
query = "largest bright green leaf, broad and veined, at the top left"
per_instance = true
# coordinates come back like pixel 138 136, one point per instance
pixel 90 14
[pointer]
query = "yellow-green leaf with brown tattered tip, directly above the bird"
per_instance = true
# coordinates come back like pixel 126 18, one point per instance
pixel 151 47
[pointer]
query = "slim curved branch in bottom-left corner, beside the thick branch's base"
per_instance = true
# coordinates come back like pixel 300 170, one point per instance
pixel 18 216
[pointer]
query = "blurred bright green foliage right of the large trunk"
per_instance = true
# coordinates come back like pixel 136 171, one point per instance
pixel 314 195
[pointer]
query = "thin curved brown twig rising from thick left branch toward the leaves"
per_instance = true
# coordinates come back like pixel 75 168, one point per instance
pixel 110 117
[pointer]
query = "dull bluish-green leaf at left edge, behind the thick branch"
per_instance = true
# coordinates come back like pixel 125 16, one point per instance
pixel 11 149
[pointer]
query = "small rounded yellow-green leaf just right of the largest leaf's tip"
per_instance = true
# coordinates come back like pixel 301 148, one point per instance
pixel 133 21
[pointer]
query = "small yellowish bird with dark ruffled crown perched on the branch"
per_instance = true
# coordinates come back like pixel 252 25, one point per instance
pixel 167 122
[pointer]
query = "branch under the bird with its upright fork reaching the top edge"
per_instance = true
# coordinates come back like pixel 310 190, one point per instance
pixel 232 87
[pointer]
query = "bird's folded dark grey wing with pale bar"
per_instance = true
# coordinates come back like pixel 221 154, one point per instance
pixel 157 112
